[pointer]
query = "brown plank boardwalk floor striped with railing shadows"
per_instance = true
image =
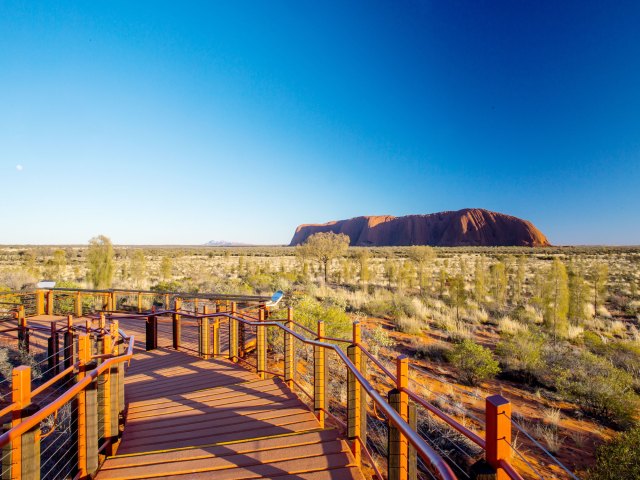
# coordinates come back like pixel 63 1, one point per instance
pixel 194 418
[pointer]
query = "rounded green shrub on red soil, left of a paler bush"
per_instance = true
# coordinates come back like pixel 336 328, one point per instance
pixel 474 362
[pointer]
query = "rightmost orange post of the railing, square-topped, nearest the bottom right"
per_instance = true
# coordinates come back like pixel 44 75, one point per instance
pixel 498 435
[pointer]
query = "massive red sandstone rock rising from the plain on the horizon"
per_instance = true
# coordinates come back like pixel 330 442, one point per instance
pixel 468 227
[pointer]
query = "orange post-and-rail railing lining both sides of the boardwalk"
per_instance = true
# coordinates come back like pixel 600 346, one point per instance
pixel 365 413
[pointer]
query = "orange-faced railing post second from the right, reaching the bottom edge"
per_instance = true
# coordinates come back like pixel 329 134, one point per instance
pixel 398 444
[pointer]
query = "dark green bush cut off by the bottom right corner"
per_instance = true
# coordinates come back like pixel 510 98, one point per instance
pixel 618 458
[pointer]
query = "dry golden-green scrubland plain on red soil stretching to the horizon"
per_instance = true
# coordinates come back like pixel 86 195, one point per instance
pixel 556 329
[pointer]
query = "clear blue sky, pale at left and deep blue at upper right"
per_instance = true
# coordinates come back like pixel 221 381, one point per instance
pixel 182 122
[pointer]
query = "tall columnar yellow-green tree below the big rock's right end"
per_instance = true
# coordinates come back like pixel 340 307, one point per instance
pixel 556 298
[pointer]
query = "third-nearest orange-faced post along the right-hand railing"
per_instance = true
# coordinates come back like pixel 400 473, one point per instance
pixel 354 397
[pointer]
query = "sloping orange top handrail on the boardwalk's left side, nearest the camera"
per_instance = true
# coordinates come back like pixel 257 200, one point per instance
pixel 56 404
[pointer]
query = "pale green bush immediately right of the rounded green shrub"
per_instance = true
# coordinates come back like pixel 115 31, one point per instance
pixel 521 354
